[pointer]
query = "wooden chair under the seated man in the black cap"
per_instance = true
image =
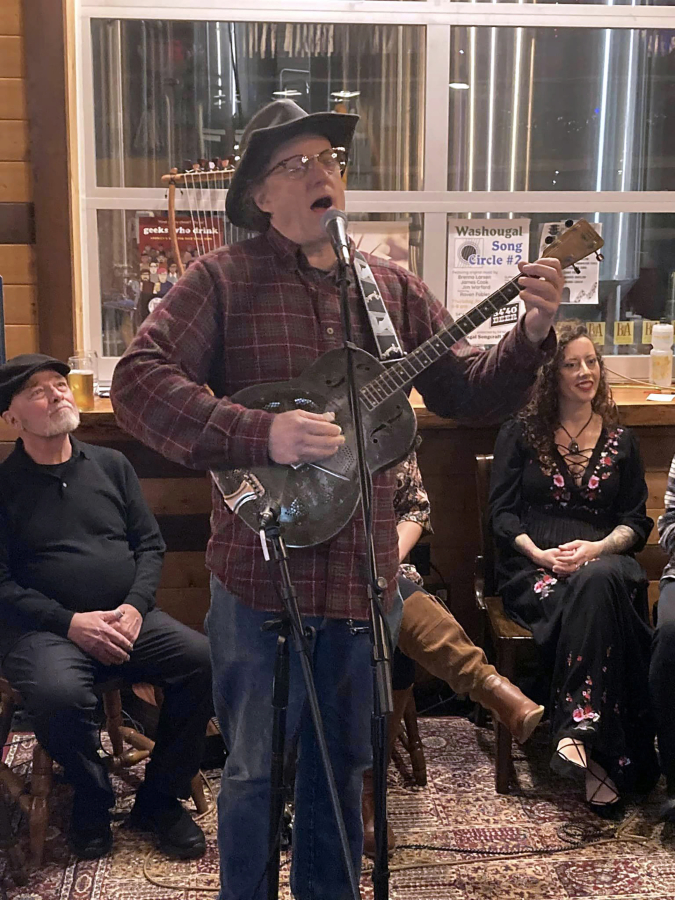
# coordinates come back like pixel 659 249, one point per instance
pixel 32 794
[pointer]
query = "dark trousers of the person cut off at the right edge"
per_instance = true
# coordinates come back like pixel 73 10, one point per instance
pixel 662 681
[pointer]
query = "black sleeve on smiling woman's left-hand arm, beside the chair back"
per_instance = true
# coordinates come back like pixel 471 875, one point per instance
pixel 506 485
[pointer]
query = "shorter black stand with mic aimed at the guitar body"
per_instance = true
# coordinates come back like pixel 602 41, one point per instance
pixel 290 624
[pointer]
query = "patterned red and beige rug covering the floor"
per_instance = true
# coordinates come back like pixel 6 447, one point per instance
pixel 472 834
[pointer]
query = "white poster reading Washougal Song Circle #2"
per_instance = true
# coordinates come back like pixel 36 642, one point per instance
pixel 483 254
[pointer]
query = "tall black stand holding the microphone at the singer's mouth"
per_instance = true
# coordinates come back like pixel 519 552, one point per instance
pixel 381 658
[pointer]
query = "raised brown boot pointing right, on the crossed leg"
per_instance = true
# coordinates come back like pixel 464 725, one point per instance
pixel 434 638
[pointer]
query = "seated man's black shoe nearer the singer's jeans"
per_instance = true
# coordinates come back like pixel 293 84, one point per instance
pixel 179 835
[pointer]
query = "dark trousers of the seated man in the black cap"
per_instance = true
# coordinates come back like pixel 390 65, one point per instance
pixel 56 679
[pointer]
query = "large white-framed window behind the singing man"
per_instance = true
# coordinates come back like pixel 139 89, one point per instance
pixel 468 111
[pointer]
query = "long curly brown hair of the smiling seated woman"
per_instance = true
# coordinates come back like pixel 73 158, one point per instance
pixel 541 416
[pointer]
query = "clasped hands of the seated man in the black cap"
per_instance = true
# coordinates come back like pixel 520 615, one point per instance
pixel 107 635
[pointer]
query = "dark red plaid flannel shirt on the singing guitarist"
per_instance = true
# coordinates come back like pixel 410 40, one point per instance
pixel 256 312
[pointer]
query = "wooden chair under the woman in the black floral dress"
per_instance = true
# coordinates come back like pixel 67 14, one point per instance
pixel 512 644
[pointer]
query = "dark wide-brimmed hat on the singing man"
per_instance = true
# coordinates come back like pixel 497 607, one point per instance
pixel 273 125
